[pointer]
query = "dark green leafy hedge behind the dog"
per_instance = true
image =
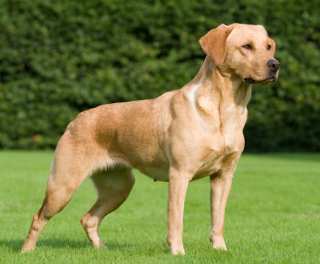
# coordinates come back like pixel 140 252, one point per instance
pixel 60 57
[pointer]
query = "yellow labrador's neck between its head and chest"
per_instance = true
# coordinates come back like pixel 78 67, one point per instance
pixel 215 86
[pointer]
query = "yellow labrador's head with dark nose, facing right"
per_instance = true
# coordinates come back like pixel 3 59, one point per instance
pixel 245 50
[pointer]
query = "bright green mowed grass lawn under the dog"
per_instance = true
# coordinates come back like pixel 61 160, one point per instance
pixel 273 216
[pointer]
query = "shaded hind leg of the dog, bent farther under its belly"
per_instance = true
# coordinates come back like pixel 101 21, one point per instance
pixel 113 187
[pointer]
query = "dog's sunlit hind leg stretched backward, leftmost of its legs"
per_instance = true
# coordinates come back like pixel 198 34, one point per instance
pixel 71 166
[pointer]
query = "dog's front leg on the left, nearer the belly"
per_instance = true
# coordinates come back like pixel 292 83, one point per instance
pixel 178 183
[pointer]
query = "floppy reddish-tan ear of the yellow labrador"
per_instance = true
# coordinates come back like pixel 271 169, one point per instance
pixel 213 43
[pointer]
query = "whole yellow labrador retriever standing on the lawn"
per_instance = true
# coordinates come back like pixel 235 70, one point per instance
pixel 178 137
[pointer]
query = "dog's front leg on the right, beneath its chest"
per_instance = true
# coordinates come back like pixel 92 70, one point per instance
pixel 220 188
